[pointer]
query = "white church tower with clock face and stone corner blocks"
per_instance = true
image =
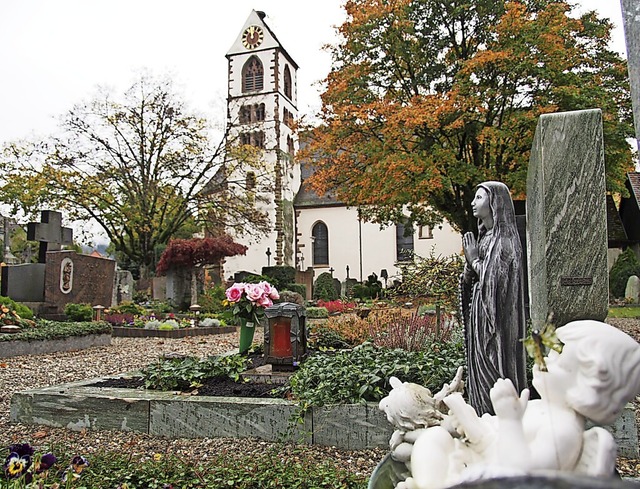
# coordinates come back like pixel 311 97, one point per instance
pixel 261 107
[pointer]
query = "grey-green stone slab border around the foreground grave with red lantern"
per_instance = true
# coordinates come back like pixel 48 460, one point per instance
pixel 78 406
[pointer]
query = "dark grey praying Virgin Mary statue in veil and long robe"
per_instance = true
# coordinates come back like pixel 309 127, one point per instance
pixel 492 297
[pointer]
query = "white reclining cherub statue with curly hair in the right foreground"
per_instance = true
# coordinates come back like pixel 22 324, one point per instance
pixel 595 375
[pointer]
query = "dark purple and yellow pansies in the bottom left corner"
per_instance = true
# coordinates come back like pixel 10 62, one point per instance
pixel 23 466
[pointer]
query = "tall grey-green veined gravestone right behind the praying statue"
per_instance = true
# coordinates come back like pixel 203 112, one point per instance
pixel 566 219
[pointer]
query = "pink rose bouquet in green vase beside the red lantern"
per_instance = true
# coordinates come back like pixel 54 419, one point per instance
pixel 248 301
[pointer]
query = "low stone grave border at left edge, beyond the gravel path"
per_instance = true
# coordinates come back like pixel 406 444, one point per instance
pixel 15 348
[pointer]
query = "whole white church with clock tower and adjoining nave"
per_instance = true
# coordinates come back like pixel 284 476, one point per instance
pixel 308 230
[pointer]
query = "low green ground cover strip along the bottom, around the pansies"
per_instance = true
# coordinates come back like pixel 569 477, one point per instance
pixel 109 470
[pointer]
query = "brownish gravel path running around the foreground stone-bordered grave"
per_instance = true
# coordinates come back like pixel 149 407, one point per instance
pixel 126 354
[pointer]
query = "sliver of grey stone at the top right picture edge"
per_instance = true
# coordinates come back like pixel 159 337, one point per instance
pixel 631 21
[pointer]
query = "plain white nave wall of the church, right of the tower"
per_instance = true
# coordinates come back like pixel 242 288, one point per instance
pixel 364 247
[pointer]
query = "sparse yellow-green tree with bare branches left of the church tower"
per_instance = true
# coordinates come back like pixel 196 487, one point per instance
pixel 143 167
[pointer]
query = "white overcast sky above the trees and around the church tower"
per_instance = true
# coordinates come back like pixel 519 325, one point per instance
pixel 53 53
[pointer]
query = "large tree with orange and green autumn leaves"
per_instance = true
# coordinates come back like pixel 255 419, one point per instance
pixel 428 98
